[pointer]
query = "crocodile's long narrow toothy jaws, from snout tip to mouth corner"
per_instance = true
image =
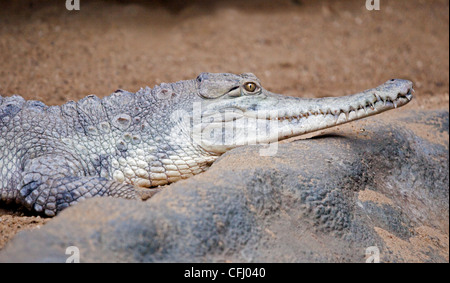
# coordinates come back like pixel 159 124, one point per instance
pixel 317 113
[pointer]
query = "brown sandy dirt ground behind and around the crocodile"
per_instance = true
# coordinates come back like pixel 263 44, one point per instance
pixel 309 48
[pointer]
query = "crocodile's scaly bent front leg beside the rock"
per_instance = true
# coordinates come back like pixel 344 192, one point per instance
pixel 48 186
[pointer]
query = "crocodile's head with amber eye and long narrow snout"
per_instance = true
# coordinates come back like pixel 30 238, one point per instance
pixel 234 110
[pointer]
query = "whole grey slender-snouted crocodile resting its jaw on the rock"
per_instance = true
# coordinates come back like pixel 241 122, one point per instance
pixel 52 157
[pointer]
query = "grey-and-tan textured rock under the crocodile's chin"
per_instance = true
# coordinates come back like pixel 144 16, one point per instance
pixel 382 182
